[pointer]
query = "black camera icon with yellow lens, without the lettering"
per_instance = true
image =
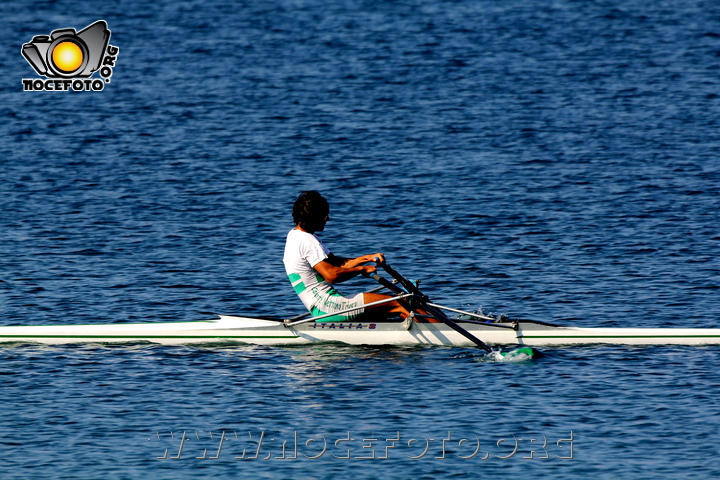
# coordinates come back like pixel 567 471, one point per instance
pixel 66 53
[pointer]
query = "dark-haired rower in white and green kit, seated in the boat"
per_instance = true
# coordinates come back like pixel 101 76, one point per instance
pixel 313 270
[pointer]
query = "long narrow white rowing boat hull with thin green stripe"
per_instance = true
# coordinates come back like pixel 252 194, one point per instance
pixel 270 332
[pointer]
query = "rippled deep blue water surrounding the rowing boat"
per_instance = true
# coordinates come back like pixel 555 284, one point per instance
pixel 548 160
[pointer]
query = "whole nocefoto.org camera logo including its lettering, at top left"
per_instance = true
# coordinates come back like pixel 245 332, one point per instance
pixel 68 59
